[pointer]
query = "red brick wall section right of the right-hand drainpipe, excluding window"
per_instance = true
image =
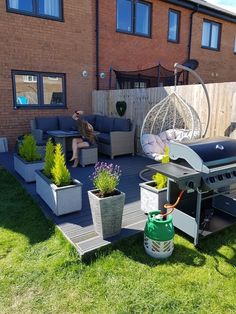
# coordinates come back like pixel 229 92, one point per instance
pixel 215 66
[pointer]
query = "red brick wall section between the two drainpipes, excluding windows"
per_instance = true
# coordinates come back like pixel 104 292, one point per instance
pixel 129 52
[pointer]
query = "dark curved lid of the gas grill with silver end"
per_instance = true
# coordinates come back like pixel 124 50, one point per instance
pixel 204 154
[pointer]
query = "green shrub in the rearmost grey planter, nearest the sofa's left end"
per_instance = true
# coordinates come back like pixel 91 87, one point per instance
pixel 28 149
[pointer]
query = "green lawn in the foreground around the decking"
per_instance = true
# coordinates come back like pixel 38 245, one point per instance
pixel 41 273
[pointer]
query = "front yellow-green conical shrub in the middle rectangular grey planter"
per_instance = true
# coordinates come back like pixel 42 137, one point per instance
pixel 59 171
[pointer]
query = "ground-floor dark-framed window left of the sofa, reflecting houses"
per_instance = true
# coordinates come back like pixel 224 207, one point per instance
pixel 34 89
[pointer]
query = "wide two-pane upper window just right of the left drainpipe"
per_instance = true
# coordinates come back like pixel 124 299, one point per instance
pixel 134 17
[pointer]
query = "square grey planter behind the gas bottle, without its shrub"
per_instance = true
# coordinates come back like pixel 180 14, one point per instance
pixel 151 198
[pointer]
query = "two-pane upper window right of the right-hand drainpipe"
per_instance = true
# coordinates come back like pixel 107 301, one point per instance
pixel 211 32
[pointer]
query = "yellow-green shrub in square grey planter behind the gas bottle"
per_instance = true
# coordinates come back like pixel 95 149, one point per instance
pixel 153 194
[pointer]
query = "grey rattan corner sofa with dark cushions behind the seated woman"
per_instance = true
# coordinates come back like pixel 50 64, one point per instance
pixel 115 136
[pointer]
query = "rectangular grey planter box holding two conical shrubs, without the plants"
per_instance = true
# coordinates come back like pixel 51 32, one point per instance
pixel 61 200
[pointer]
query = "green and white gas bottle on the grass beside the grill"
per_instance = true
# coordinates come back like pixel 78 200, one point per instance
pixel 159 235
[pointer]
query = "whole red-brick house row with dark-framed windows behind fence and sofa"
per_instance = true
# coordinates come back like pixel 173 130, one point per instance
pixel 54 52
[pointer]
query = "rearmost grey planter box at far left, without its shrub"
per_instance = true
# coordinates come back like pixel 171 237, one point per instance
pixel 27 169
